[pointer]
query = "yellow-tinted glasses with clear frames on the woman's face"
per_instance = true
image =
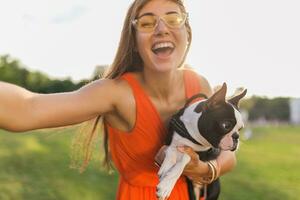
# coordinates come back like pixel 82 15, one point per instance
pixel 148 22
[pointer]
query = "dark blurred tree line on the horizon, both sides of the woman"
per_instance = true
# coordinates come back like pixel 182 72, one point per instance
pixel 12 71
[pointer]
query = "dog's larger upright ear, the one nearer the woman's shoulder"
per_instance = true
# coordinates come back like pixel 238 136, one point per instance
pixel 216 99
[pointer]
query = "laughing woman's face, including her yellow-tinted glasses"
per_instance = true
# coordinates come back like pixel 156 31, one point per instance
pixel 163 20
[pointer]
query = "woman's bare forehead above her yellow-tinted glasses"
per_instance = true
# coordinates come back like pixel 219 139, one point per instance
pixel 159 7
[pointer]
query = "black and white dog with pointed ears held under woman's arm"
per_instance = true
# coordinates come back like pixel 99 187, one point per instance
pixel 208 126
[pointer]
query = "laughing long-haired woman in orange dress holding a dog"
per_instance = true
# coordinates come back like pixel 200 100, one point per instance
pixel 146 84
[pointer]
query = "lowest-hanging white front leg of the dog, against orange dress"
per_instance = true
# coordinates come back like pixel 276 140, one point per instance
pixel 168 181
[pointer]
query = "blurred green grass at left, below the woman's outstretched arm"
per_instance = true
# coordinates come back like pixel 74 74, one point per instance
pixel 35 166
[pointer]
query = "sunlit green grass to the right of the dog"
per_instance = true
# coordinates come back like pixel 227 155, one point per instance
pixel 268 166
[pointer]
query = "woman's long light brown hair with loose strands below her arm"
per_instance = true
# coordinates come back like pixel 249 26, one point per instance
pixel 127 59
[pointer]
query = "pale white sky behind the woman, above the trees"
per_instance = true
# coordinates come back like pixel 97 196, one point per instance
pixel 252 44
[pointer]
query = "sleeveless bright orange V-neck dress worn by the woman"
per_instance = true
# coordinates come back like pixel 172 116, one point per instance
pixel 133 152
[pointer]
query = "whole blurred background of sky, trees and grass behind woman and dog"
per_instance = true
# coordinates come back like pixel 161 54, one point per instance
pixel 56 46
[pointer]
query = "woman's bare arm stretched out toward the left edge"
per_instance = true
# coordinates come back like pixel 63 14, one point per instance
pixel 23 110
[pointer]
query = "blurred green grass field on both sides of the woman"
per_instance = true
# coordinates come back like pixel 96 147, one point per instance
pixel 35 166
